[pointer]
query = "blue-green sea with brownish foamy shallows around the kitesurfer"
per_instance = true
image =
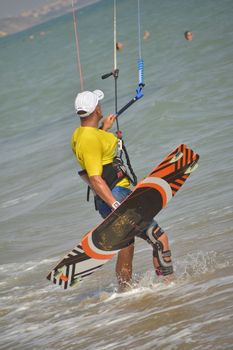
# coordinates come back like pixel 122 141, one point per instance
pixel 188 98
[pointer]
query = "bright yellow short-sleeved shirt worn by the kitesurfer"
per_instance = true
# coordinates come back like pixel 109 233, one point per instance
pixel 94 148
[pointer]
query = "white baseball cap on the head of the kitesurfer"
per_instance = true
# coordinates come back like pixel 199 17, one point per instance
pixel 87 101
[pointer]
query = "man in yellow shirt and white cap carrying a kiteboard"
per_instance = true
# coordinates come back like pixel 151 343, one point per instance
pixel 95 149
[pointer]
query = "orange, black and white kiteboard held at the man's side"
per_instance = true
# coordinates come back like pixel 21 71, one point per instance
pixel 130 219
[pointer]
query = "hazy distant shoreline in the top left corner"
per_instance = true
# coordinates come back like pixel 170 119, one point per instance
pixel 29 19
